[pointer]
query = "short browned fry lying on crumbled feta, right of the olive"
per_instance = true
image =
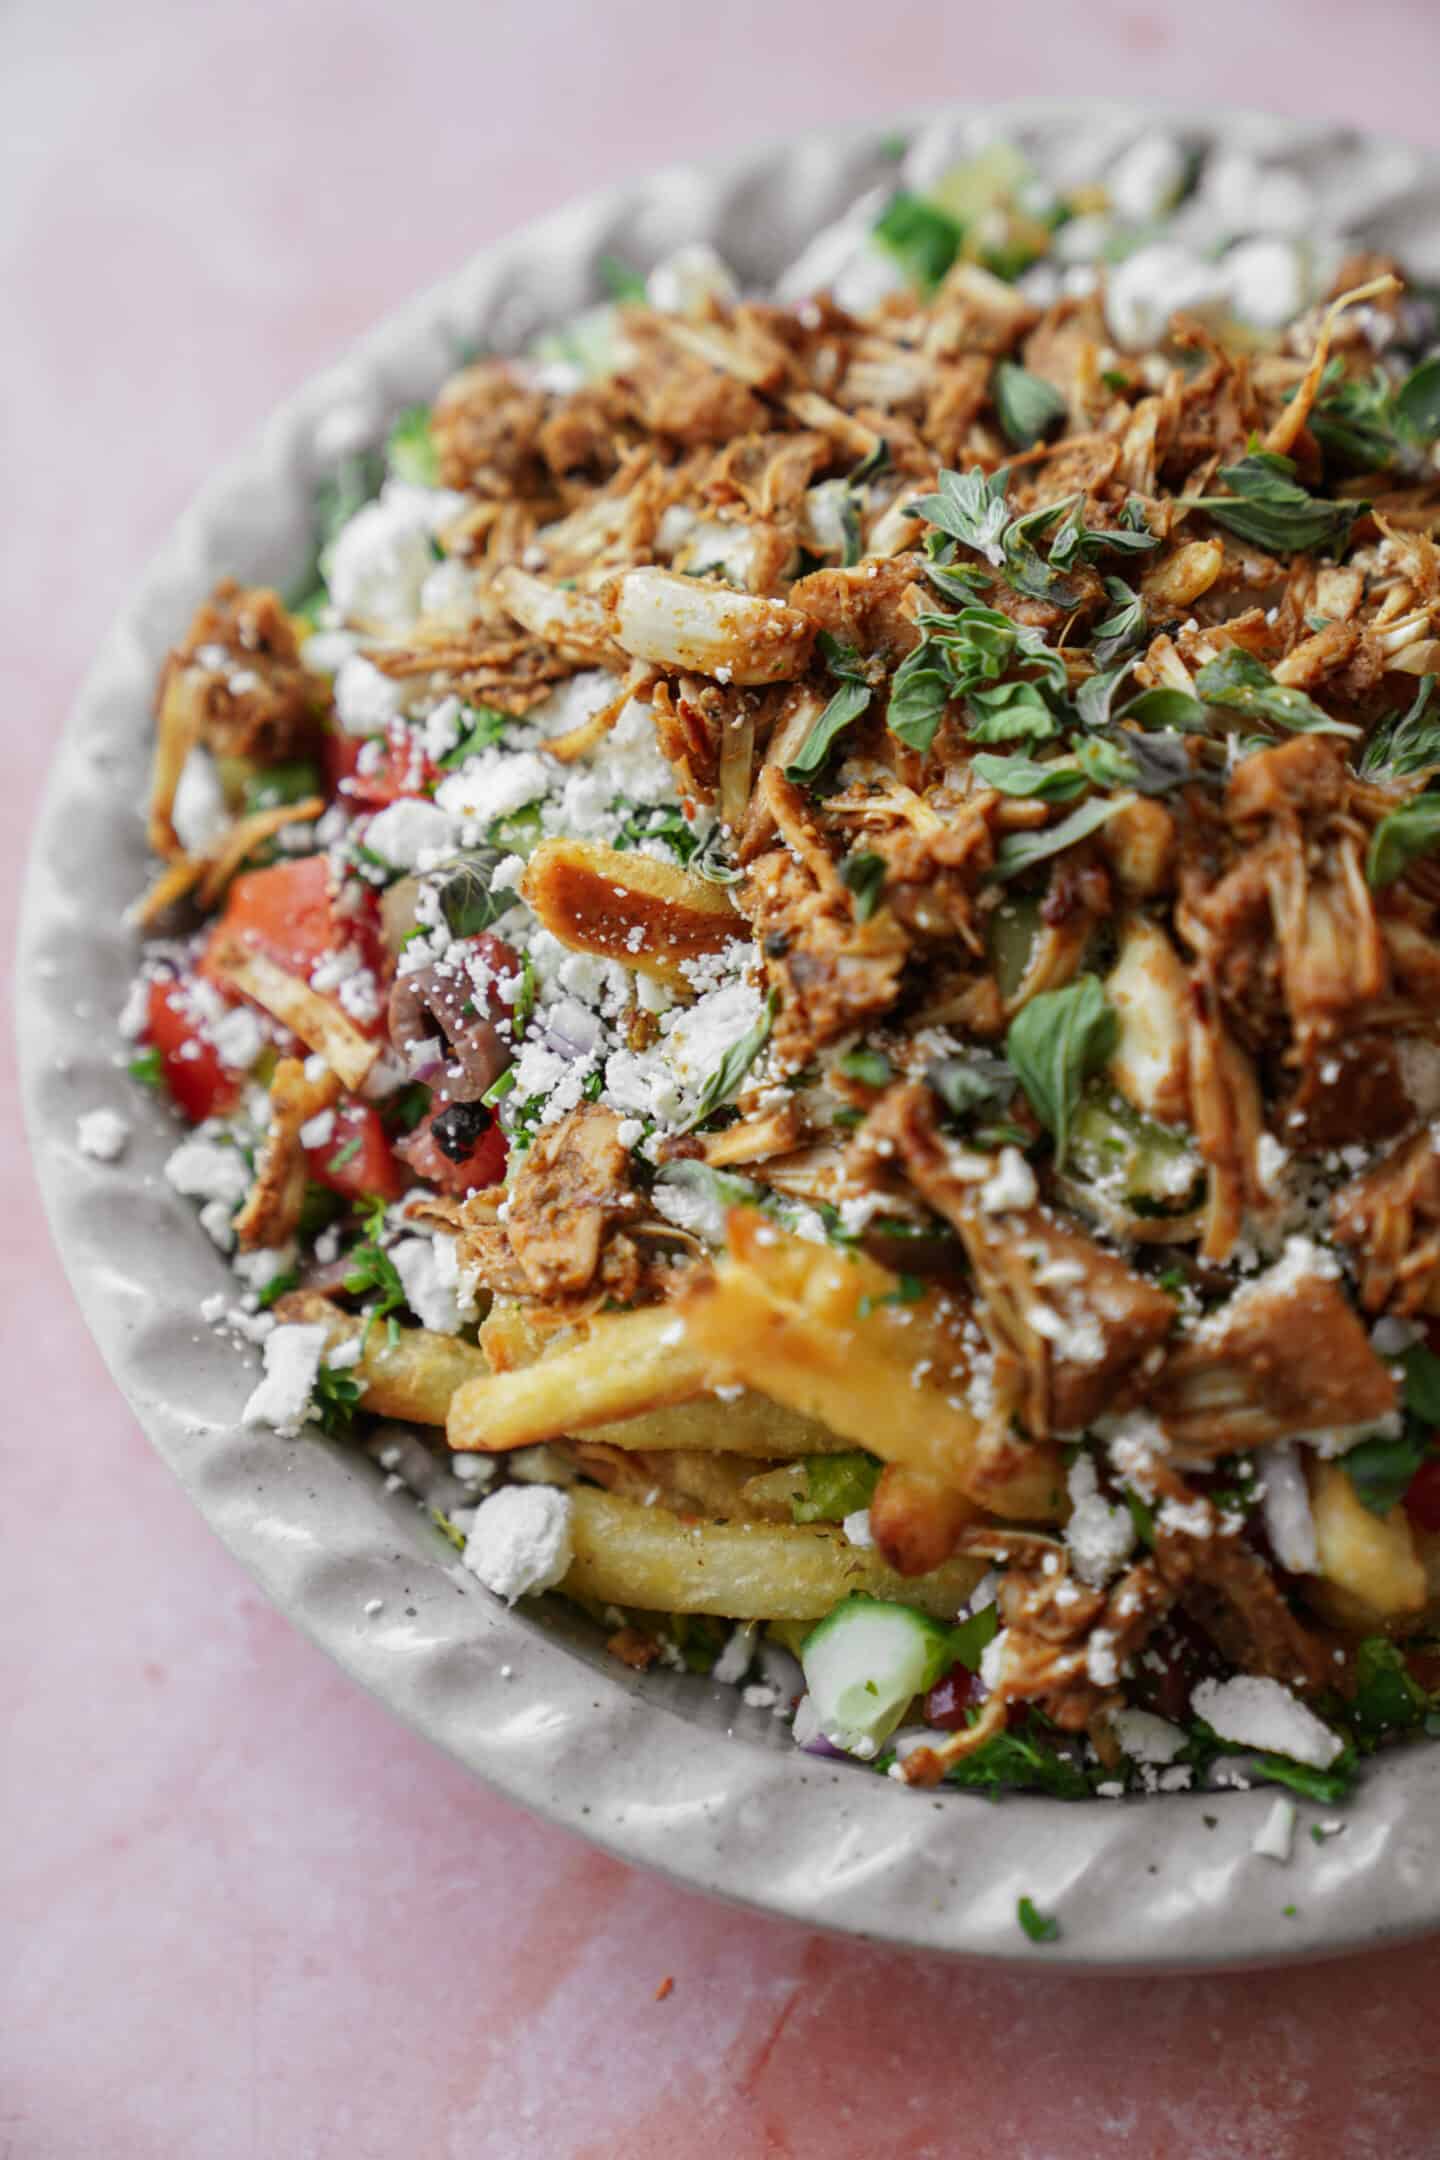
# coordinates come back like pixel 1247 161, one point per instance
pixel 647 915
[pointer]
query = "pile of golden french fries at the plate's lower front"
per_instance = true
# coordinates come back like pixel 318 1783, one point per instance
pixel 783 1353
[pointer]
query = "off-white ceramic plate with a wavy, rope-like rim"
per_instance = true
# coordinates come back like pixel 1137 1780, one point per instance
pixel 662 1770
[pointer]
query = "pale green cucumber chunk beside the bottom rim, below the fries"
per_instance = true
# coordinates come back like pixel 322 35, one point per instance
pixel 865 1666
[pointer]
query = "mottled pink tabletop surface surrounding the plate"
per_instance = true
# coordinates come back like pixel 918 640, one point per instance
pixel 241 1911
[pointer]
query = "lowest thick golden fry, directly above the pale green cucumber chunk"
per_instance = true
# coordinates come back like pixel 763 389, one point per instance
pixel 627 1554
